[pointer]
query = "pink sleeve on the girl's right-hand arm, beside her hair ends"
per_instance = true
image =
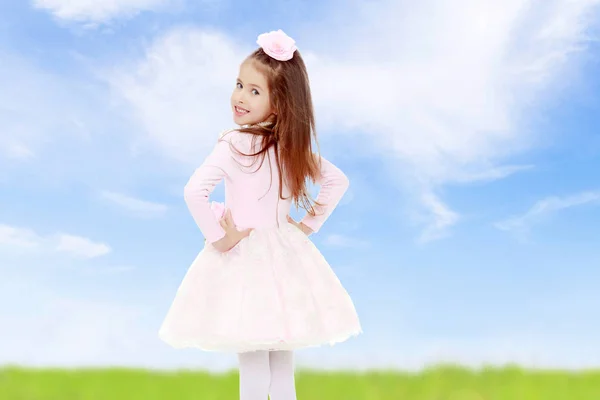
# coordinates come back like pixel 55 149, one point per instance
pixel 333 186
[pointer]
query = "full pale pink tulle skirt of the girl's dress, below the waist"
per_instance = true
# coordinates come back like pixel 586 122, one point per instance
pixel 273 291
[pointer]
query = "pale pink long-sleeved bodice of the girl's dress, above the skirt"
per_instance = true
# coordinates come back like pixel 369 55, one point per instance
pixel 252 190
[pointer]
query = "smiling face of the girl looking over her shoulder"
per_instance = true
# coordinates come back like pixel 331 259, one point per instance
pixel 250 102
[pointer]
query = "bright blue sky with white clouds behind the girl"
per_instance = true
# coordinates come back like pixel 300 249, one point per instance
pixel 469 134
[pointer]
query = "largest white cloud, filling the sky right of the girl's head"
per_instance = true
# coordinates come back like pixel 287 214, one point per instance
pixel 449 87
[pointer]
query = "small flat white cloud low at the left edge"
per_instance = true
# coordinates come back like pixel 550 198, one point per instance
pixel 23 239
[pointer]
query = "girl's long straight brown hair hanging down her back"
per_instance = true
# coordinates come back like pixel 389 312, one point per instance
pixel 293 128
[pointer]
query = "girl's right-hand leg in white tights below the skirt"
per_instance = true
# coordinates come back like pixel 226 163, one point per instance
pixel 282 375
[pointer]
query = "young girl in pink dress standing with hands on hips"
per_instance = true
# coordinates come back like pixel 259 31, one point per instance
pixel 260 287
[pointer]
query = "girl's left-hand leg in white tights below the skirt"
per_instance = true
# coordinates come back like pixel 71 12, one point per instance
pixel 255 375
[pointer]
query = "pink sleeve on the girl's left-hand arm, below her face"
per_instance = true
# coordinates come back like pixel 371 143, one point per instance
pixel 202 183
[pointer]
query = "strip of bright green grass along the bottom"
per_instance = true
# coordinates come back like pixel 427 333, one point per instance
pixel 441 383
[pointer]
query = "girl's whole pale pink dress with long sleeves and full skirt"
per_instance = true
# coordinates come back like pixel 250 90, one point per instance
pixel 274 290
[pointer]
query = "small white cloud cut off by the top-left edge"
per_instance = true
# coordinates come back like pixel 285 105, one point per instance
pixel 100 11
